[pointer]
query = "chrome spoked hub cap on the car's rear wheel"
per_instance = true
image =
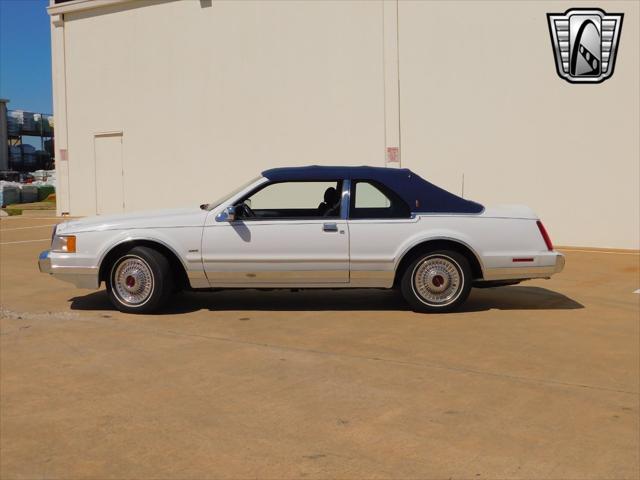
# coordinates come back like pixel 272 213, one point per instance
pixel 437 280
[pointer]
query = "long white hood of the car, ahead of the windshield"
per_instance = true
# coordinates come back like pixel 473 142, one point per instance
pixel 183 217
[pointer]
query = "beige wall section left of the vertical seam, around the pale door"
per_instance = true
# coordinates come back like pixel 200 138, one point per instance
pixel 206 97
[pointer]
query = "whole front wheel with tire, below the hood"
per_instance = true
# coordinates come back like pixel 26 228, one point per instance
pixel 140 281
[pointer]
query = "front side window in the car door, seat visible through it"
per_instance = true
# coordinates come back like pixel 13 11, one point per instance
pixel 293 200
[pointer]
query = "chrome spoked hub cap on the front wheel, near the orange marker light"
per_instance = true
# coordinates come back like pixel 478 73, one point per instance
pixel 133 281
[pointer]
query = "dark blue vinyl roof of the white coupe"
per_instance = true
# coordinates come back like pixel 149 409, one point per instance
pixel 420 195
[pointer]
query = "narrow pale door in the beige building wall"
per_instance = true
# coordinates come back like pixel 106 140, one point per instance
pixel 109 173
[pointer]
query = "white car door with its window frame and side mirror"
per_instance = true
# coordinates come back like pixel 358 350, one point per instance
pixel 284 234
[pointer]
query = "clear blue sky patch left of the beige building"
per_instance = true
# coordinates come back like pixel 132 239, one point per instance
pixel 25 55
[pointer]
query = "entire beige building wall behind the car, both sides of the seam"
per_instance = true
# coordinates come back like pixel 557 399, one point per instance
pixel 209 93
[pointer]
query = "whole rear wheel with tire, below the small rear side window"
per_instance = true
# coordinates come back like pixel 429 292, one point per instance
pixel 436 281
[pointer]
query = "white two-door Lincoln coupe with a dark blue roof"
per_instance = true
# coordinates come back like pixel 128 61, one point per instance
pixel 309 227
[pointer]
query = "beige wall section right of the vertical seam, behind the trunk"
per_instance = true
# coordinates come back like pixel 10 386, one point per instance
pixel 480 97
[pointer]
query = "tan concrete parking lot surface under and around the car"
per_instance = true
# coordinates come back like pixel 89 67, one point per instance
pixel 539 380
